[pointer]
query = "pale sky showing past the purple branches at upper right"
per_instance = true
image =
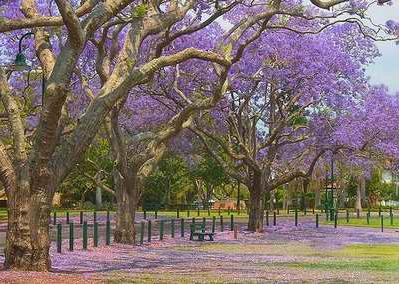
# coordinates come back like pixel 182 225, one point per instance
pixel 385 70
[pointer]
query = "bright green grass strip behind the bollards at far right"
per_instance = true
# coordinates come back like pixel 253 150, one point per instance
pixel 374 222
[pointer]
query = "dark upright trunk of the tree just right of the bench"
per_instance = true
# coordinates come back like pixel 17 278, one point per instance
pixel 255 222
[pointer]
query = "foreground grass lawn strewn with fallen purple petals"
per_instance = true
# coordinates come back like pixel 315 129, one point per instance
pixel 274 261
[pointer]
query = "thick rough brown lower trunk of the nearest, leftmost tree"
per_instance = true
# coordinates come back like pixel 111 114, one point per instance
pixel 28 240
